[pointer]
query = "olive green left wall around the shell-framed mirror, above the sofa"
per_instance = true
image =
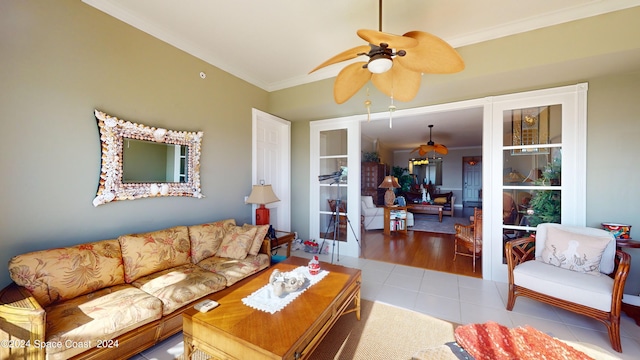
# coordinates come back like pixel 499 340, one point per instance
pixel 60 60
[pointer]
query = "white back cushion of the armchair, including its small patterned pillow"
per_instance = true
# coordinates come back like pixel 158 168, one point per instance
pixel 575 248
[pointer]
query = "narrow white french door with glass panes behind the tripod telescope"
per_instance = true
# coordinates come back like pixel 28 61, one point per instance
pixel 335 186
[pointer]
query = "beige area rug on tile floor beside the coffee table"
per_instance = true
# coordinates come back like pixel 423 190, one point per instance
pixel 384 332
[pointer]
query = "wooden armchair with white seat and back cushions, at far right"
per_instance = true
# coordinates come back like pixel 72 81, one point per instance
pixel 598 297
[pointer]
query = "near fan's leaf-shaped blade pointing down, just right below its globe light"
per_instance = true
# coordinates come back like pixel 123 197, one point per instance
pixel 400 82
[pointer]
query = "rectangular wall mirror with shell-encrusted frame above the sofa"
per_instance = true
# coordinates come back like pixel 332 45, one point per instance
pixel 139 161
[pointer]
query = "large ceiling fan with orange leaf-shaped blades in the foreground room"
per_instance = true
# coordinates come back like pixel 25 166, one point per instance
pixel 395 64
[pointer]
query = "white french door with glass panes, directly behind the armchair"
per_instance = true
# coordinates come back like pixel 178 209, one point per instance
pixel 538 166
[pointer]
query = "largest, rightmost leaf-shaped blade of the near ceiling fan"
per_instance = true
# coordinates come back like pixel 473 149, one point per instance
pixel 432 56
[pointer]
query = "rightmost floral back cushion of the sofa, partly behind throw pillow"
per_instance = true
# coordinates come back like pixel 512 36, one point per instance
pixel 206 238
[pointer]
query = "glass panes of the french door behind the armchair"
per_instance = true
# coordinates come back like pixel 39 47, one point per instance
pixel 532 169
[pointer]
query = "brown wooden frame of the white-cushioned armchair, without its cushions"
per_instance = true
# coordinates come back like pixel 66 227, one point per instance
pixel 521 250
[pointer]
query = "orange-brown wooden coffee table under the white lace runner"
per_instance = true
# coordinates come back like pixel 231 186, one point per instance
pixel 236 331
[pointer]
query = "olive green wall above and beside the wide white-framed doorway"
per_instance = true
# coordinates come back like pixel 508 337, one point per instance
pixel 565 54
